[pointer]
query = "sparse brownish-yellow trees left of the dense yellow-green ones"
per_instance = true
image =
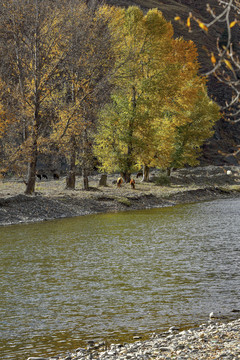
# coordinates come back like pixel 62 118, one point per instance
pixel 54 63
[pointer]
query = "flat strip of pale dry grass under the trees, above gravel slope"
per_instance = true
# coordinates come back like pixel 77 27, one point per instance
pixel 188 179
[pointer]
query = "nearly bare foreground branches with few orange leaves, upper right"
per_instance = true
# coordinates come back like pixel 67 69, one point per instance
pixel 225 57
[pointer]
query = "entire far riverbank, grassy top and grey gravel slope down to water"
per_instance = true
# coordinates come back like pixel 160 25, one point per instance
pixel 52 201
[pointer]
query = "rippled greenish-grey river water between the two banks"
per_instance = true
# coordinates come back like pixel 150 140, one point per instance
pixel 113 276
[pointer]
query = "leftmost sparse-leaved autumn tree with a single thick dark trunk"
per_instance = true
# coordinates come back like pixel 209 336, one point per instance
pixel 33 47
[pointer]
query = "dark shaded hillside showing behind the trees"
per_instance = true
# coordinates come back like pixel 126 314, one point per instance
pixel 222 147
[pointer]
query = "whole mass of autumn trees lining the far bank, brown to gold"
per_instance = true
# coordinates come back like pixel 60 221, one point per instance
pixel 72 76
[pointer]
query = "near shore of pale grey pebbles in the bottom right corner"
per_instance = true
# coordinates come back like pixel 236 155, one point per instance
pixel 212 341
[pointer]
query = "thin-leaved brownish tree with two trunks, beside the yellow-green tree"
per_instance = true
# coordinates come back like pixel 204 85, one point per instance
pixel 85 86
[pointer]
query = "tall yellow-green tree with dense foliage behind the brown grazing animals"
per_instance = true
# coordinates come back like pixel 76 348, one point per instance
pixel 118 141
